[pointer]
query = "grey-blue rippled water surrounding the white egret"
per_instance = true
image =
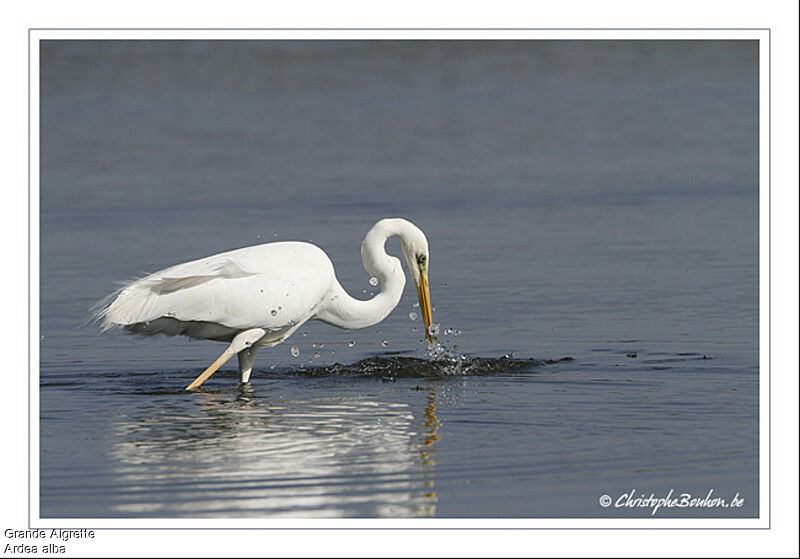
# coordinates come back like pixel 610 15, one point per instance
pixel 586 200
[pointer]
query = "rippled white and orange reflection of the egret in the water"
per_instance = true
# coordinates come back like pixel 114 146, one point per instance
pixel 253 456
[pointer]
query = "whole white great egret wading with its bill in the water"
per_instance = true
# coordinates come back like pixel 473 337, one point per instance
pixel 260 295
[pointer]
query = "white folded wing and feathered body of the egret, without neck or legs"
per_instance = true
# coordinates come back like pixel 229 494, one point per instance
pixel 272 286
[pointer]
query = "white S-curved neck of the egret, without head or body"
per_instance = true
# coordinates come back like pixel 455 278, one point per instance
pixel 344 311
